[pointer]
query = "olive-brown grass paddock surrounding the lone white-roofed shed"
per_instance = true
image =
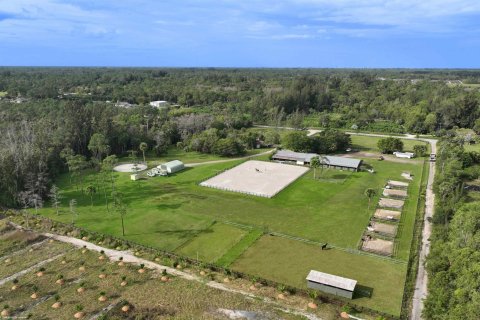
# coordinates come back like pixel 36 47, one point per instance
pixel 289 261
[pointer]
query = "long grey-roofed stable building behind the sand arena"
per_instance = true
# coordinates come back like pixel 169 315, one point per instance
pixel 327 161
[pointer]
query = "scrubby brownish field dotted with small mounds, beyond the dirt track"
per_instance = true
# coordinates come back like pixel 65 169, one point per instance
pixel 147 296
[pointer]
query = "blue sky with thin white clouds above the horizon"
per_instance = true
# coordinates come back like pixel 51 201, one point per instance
pixel 241 33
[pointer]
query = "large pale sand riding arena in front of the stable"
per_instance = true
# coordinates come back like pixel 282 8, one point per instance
pixel 258 178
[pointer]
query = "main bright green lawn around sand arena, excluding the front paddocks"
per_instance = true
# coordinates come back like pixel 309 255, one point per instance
pixel 166 212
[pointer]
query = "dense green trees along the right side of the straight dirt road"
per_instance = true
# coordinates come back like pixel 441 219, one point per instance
pixel 454 261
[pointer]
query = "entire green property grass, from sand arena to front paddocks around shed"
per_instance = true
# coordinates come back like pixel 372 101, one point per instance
pixel 174 213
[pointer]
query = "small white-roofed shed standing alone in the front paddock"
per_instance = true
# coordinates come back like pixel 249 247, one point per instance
pixel 331 284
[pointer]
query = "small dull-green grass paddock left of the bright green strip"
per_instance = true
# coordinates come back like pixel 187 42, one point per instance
pixel 212 243
